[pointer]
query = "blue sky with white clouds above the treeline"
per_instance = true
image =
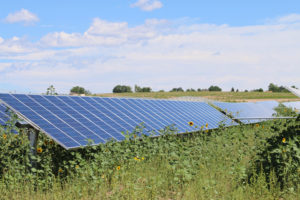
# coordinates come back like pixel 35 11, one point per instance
pixel 163 44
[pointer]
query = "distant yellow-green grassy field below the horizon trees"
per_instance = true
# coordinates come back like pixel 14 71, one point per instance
pixel 220 96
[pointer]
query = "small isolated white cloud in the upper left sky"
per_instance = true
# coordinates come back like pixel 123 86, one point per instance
pixel 23 16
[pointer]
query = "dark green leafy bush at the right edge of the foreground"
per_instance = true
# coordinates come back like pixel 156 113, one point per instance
pixel 281 154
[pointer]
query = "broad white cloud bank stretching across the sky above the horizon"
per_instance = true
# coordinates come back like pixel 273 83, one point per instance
pixel 157 54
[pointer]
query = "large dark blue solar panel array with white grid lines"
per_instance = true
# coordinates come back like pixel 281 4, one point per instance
pixel 72 121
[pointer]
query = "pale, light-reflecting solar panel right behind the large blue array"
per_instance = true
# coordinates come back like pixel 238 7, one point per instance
pixel 249 110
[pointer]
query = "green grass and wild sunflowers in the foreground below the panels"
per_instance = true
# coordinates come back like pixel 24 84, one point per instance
pixel 203 165
